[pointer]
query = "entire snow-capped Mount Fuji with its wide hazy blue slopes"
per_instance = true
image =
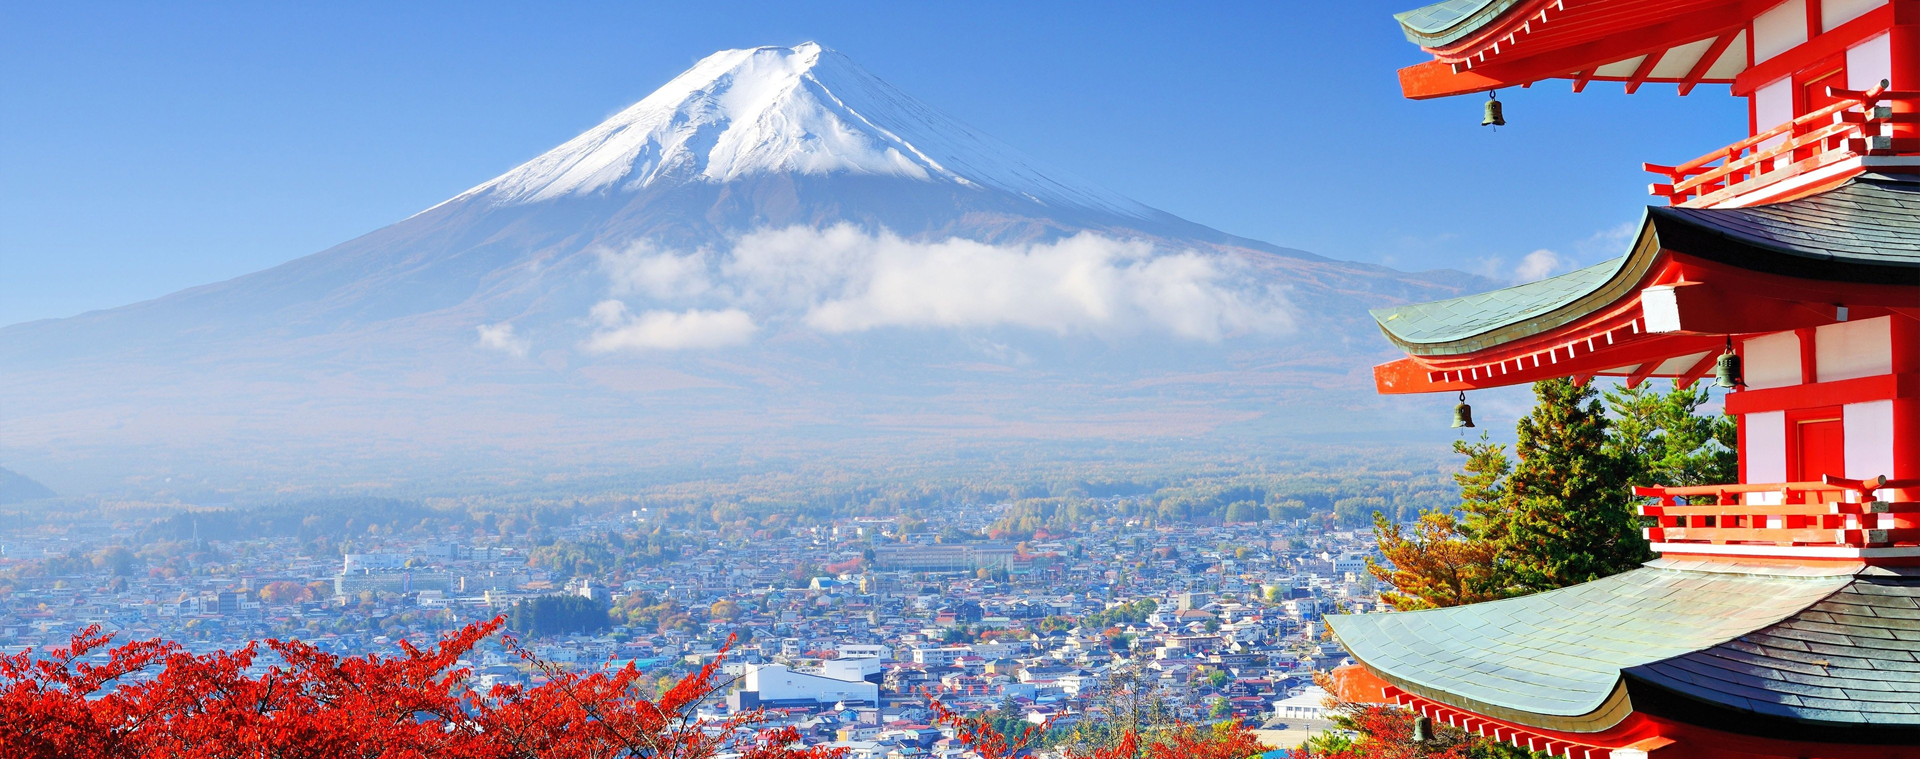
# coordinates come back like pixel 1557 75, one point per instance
pixel 777 257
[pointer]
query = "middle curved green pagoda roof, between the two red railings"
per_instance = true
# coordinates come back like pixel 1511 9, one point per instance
pixel 1863 232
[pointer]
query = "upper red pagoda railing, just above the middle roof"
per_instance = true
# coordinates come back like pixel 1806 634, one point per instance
pixel 1860 124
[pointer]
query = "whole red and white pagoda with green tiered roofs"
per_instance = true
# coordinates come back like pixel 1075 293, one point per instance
pixel 1783 616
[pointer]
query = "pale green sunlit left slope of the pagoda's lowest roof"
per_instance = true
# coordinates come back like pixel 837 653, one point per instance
pixel 1556 660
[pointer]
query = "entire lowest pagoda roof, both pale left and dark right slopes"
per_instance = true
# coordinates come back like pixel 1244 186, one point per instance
pixel 1813 650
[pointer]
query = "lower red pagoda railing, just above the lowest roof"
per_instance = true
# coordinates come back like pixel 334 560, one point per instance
pixel 1835 512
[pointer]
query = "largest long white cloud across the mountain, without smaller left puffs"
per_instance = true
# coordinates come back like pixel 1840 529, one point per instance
pixel 850 282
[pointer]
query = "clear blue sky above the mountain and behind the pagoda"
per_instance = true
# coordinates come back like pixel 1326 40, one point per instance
pixel 149 149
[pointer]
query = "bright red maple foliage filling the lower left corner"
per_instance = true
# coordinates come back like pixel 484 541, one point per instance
pixel 156 700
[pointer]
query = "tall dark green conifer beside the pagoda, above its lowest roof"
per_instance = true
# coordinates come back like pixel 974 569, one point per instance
pixel 1572 510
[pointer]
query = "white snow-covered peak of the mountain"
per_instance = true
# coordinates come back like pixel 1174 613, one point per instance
pixel 802 110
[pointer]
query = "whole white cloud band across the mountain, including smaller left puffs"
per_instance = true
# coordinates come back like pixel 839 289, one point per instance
pixel 844 280
